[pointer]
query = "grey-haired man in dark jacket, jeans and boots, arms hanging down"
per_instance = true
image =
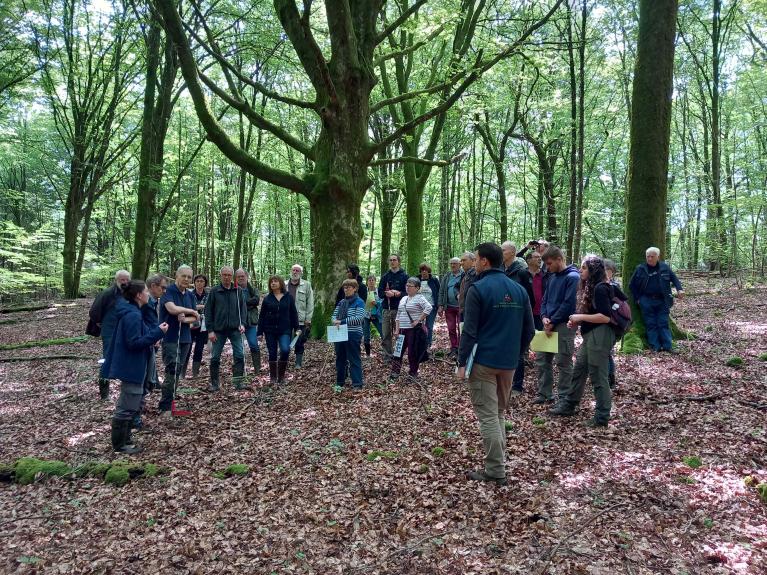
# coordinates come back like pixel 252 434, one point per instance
pixel 225 314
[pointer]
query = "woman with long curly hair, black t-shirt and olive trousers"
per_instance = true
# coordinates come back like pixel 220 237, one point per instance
pixel 593 308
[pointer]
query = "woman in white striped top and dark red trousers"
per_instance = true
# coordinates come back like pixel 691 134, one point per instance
pixel 412 312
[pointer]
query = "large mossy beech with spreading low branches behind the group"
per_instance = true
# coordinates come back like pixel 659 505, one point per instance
pixel 340 65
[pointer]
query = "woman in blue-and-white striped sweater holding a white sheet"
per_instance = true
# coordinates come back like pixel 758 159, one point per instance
pixel 351 312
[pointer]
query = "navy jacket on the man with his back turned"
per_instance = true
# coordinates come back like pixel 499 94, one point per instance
pixel 498 318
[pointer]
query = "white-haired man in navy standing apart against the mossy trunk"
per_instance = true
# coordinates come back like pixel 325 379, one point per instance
pixel 651 287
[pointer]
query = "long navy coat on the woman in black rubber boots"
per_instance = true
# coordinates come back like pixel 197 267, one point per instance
pixel 130 348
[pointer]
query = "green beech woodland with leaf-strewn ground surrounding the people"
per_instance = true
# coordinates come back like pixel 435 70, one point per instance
pixel 146 135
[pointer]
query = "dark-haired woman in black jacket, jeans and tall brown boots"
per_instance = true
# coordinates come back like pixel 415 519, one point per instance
pixel 277 322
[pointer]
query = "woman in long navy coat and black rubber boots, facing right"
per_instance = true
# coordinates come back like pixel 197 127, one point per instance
pixel 127 360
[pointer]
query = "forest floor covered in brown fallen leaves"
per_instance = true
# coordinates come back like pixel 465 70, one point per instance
pixel 373 482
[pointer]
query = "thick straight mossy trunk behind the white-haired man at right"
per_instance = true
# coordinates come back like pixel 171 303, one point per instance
pixel 650 133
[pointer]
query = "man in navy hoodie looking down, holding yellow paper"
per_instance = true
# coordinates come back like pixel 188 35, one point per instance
pixel 556 308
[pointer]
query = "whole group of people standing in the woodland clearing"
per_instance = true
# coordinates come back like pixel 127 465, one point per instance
pixel 493 300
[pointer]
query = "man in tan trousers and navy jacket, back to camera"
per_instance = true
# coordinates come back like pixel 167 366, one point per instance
pixel 498 320
